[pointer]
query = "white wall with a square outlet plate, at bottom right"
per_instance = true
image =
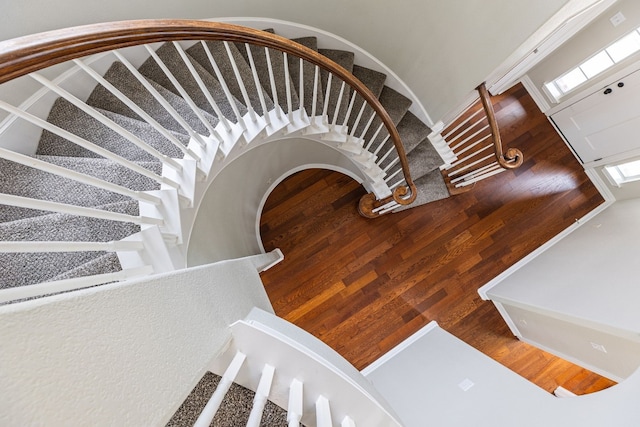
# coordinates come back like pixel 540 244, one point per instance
pixel 423 381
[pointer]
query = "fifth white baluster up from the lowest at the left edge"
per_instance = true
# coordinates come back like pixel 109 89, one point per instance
pixel 86 144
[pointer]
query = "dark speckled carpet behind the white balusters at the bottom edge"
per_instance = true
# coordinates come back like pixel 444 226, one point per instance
pixel 234 410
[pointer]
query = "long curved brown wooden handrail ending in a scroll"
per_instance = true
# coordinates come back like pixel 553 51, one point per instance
pixel 28 54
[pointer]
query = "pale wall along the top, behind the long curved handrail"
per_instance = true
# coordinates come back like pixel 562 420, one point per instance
pixel 441 49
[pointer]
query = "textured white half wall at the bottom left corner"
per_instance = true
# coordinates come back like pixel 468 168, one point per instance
pixel 123 354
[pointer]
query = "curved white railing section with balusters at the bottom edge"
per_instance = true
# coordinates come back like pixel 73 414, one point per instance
pixel 267 355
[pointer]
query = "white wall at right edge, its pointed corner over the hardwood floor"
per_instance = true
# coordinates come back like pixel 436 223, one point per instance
pixel 585 287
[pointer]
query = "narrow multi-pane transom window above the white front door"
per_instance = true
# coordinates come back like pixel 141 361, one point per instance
pixel 596 64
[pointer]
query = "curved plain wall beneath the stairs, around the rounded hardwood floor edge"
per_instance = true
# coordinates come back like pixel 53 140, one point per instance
pixel 226 222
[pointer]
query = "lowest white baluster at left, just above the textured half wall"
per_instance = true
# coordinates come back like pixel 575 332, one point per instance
pixel 12 294
